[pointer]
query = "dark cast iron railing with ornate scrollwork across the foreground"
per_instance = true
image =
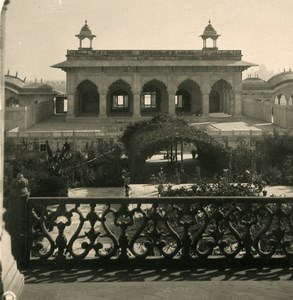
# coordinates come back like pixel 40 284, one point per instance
pixel 230 228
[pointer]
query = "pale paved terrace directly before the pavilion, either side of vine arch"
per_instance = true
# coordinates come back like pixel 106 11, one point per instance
pixel 218 124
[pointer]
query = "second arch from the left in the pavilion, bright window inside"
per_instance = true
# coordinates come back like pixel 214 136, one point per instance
pixel 119 98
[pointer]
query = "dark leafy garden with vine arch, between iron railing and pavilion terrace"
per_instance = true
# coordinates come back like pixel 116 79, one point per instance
pixel 265 160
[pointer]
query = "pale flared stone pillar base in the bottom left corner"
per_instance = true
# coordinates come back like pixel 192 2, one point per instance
pixel 11 279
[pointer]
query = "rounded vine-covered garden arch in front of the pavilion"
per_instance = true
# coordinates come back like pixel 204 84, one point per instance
pixel 143 139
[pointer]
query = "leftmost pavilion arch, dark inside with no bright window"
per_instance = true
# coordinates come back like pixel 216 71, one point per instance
pixel 88 99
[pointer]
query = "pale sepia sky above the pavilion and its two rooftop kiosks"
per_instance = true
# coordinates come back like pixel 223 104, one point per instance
pixel 39 32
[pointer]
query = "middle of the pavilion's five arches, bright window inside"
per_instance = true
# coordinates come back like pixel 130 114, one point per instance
pixel 154 97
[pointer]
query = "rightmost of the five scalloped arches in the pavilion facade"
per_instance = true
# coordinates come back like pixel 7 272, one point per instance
pixel 221 97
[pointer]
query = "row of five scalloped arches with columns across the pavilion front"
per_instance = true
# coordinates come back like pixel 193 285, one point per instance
pixel 120 99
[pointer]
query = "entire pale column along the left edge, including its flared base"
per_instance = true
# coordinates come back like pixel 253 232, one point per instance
pixel 11 279
